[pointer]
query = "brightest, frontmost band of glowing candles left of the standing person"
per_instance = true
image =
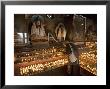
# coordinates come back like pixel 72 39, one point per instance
pixel 37 68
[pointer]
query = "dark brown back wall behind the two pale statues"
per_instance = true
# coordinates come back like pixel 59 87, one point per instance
pixel 23 24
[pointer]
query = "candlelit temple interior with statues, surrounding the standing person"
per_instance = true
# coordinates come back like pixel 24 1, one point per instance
pixel 40 44
